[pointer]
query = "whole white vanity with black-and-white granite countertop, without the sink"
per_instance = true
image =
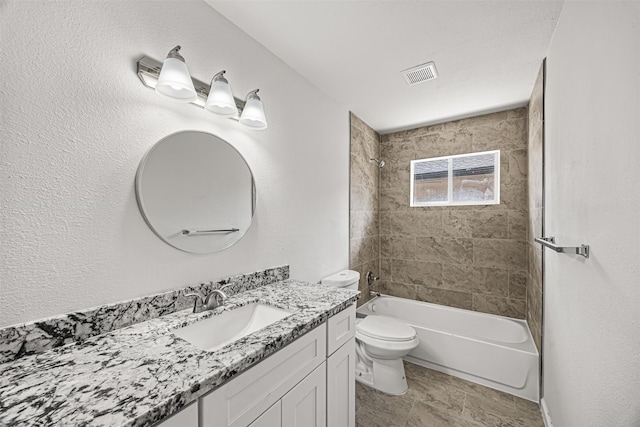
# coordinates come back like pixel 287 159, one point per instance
pixel 298 370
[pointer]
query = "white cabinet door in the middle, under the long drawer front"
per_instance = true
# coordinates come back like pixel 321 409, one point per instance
pixel 306 404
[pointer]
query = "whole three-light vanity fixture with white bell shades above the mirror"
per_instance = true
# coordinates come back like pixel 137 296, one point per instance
pixel 169 81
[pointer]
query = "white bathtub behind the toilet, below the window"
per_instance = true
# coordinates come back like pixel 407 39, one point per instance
pixel 494 351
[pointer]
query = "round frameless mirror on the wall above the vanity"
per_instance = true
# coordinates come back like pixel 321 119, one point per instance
pixel 196 192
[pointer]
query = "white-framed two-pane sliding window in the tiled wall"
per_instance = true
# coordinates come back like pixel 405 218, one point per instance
pixel 465 179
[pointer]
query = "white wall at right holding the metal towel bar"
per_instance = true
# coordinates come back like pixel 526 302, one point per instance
pixel 592 306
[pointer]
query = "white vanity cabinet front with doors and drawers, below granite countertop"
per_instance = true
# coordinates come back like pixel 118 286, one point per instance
pixel 308 383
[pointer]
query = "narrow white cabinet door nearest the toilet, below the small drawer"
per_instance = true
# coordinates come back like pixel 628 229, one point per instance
pixel 341 386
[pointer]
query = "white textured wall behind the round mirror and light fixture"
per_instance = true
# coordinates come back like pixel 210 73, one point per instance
pixel 75 122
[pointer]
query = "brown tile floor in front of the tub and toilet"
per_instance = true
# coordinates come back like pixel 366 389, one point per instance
pixel 435 399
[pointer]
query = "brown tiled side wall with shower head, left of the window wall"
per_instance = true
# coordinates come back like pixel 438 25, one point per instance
pixel 365 176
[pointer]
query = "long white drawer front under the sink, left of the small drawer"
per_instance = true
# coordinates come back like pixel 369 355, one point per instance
pixel 244 398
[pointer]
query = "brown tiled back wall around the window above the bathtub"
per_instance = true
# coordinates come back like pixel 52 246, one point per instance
pixel 472 257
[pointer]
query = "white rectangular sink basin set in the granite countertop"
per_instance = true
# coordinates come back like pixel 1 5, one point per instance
pixel 217 331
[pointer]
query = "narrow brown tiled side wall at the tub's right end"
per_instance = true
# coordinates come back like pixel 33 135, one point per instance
pixel 535 187
